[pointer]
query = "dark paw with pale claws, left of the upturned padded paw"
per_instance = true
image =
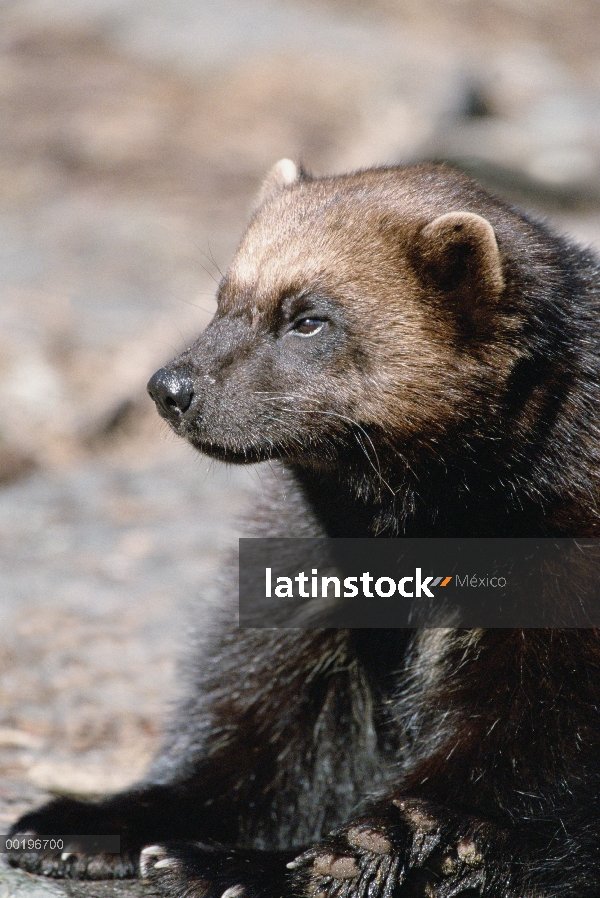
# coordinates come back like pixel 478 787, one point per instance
pixel 197 870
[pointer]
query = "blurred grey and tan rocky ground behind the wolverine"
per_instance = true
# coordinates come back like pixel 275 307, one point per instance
pixel 134 136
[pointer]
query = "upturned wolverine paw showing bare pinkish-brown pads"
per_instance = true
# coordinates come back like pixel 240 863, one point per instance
pixel 410 846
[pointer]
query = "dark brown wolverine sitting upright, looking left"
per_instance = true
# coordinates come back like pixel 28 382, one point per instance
pixel 414 358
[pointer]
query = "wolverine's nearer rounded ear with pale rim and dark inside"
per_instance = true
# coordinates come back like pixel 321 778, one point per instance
pixel 459 253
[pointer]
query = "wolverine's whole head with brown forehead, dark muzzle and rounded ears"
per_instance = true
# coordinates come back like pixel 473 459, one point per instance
pixel 354 314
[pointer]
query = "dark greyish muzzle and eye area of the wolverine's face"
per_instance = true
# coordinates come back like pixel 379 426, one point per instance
pixel 266 380
